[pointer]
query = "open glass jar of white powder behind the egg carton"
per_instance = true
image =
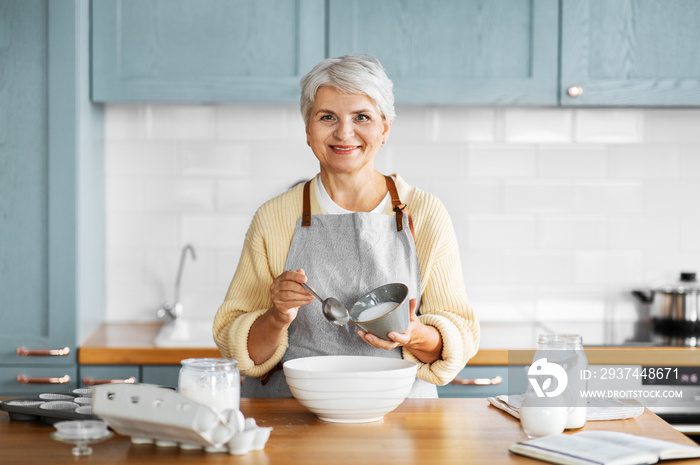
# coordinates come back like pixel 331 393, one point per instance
pixel 211 381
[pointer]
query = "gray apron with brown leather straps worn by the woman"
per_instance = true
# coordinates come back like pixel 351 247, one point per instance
pixel 344 256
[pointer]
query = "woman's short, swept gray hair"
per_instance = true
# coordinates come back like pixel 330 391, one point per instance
pixel 353 74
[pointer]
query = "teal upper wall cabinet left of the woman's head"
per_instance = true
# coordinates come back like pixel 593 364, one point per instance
pixel 204 51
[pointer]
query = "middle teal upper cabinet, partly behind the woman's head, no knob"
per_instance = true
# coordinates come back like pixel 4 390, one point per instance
pixel 455 51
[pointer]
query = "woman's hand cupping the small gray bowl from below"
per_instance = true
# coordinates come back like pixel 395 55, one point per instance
pixel 423 341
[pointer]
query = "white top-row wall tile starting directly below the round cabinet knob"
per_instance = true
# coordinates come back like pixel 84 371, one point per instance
pixel 609 126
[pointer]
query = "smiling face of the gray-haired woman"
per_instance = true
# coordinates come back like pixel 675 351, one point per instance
pixel 345 131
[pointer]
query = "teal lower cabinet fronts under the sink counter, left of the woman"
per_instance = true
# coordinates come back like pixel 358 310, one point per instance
pixel 163 375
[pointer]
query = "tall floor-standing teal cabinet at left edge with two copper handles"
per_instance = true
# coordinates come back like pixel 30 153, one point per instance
pixel 51 266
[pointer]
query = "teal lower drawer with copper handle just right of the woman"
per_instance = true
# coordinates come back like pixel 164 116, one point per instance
pixel 485 381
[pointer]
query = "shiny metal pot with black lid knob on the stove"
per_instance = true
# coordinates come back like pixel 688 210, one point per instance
pixel 674 311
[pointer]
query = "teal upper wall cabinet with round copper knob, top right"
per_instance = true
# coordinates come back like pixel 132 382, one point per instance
pixel 630 53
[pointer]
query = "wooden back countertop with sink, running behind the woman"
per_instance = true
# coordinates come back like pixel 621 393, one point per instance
pixel 132 344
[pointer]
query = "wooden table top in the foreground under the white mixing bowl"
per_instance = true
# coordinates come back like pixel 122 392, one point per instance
pixel 419 431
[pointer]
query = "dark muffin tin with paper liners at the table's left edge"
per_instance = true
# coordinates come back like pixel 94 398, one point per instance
pixel 51 407
